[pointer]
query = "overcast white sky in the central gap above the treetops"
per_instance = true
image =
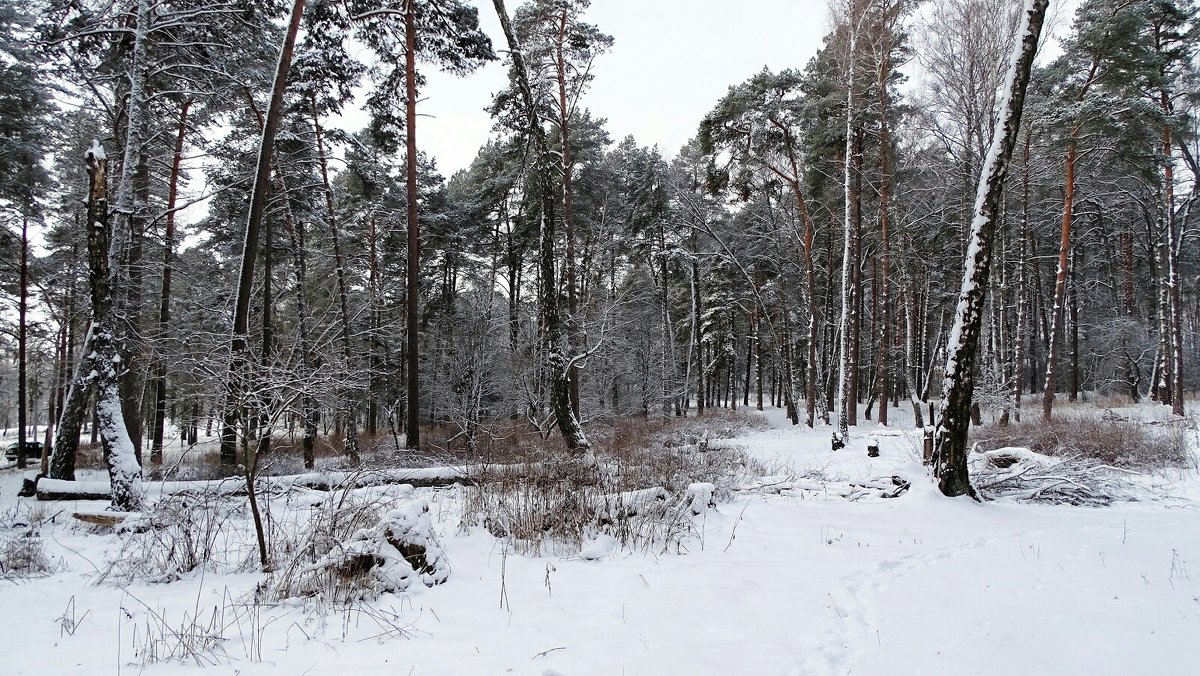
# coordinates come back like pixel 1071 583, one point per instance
pixel 671 62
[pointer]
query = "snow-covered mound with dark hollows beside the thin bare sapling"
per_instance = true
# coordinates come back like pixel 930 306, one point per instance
pixel 399 553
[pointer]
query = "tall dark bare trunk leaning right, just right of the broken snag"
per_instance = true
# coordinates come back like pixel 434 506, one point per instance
pixel 236 387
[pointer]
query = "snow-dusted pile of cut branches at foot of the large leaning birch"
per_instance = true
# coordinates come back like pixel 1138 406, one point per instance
pixel 1027 476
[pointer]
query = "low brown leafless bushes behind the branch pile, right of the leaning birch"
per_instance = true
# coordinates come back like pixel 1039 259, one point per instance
pixel 1109 440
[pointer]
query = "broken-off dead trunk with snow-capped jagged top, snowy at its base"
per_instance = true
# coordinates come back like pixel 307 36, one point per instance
pixel 124 472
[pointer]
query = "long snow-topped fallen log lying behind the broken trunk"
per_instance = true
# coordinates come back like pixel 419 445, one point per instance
pixel 425 477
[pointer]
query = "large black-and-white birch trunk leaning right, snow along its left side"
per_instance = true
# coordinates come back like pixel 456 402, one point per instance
pixel 955 415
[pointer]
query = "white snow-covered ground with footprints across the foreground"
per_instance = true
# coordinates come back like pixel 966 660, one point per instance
pixel 795 584
